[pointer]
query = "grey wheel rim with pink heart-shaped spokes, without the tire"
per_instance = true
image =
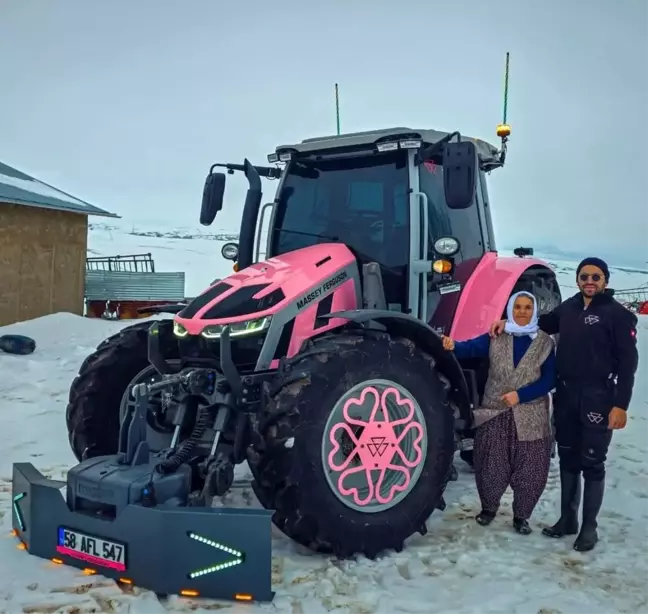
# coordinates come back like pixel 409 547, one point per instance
pixel 374 446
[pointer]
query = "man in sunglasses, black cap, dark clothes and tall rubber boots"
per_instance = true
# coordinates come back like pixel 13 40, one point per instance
pixel 596 361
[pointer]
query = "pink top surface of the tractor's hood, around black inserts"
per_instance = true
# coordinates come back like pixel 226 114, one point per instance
pixel 293 272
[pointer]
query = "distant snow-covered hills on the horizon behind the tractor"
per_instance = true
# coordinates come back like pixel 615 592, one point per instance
pixel 196 251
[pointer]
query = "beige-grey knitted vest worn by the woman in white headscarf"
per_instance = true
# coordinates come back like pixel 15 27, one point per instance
pixel 531 419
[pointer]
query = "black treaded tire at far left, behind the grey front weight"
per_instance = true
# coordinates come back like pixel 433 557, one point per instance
pixel 93 411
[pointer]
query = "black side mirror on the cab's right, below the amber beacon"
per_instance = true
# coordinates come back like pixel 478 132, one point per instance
pixel 460 169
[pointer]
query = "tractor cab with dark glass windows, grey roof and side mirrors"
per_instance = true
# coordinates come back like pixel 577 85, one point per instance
pixel 412 201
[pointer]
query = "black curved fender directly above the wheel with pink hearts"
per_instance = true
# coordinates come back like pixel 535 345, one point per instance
pixel 407 326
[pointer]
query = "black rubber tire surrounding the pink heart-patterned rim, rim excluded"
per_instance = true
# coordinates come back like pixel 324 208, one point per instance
pixel 291 481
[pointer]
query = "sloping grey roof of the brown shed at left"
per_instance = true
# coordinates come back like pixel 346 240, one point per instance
pixel 19 188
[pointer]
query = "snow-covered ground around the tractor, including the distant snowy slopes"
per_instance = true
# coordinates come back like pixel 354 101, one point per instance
pixel 458 567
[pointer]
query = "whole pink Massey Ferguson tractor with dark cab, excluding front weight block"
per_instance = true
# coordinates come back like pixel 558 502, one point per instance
pixel 319 364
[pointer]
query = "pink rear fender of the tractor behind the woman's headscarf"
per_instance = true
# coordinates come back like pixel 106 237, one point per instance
pixel 486 293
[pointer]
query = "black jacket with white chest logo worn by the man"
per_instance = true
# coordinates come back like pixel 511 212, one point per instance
pixel 595 343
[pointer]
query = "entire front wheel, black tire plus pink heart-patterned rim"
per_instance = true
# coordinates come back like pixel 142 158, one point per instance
pixel 300 433
